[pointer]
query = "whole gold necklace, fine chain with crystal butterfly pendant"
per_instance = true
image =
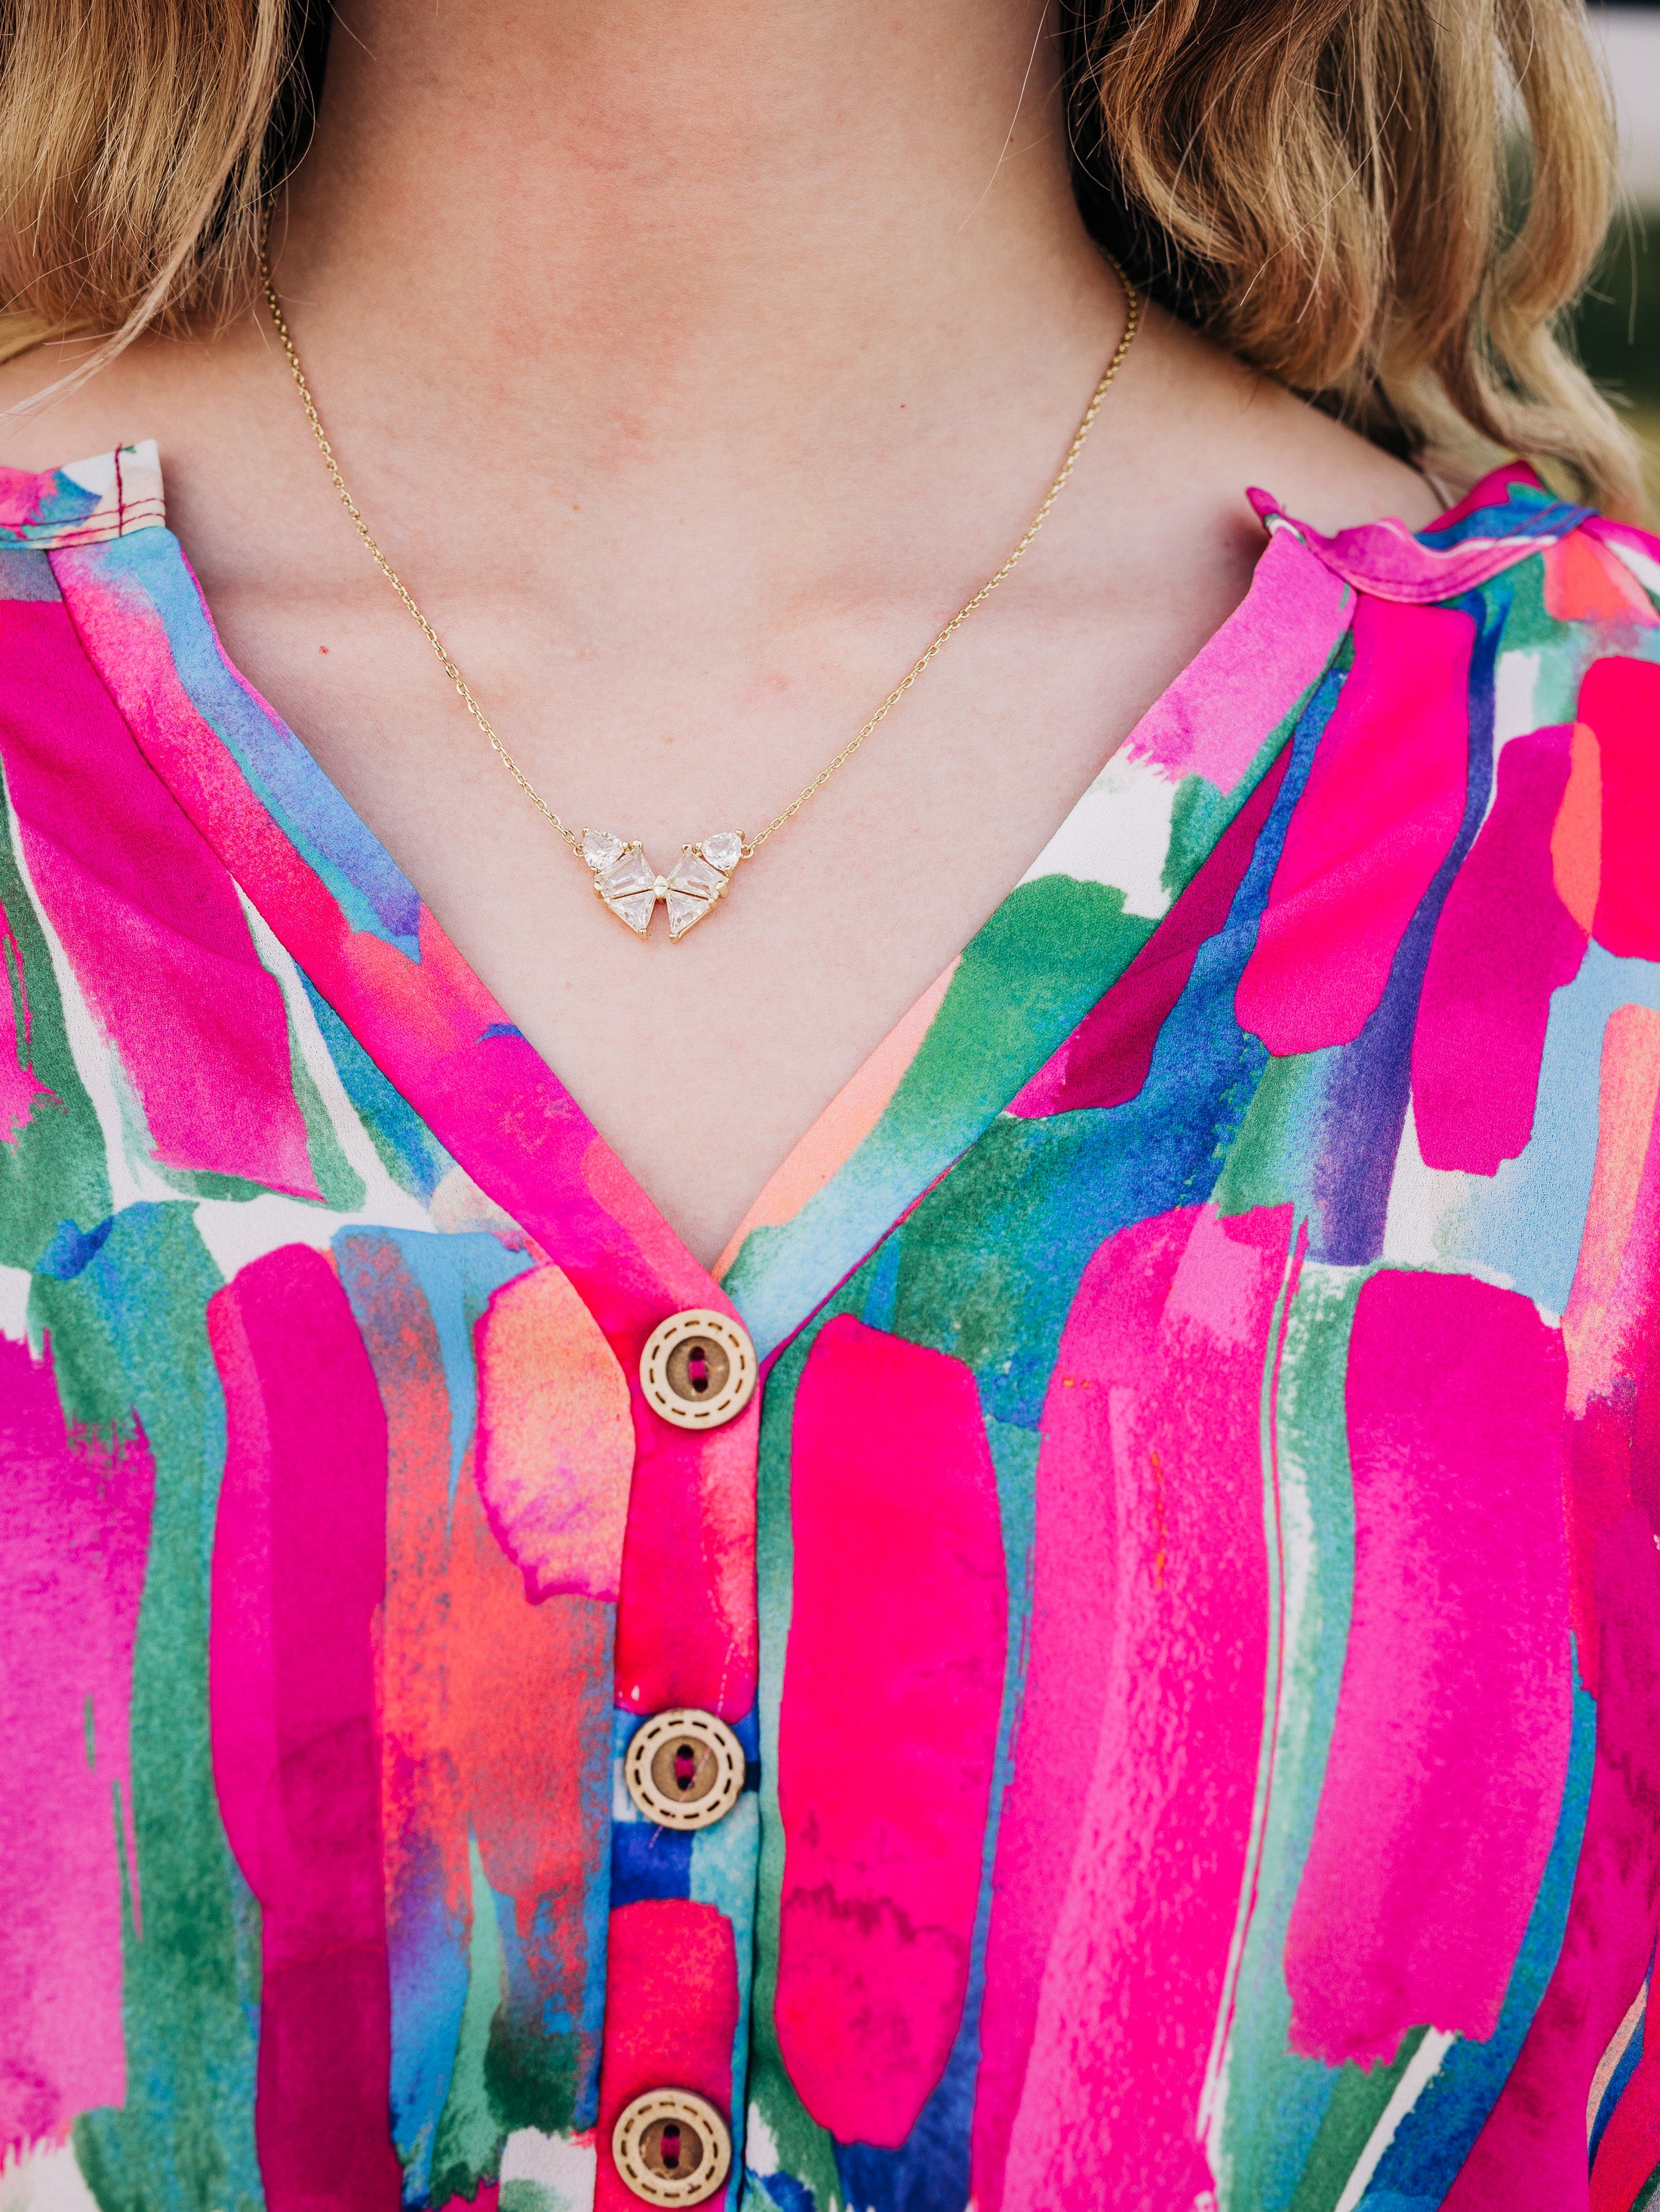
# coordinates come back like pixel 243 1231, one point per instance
pixel 624 879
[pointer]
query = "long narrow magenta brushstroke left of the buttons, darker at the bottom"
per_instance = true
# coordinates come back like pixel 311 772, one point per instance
pixel 297 1585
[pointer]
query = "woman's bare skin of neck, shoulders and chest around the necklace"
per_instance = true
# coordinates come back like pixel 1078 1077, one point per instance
pixel 695 366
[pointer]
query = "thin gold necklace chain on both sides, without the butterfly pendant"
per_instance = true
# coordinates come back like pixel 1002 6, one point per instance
pixel 885 709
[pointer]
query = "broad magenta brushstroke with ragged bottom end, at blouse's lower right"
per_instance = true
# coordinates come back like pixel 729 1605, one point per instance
pixel 1453 1718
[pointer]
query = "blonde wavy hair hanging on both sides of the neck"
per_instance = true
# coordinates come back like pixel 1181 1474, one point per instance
pixel 1327 187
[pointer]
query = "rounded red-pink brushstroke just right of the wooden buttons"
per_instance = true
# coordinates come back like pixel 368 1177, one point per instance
pixel 887 1731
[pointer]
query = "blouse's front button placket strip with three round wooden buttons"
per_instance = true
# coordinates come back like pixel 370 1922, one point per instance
pixel 680 1943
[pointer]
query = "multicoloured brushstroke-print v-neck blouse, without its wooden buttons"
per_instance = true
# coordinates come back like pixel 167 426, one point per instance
pixel 1186 1587
